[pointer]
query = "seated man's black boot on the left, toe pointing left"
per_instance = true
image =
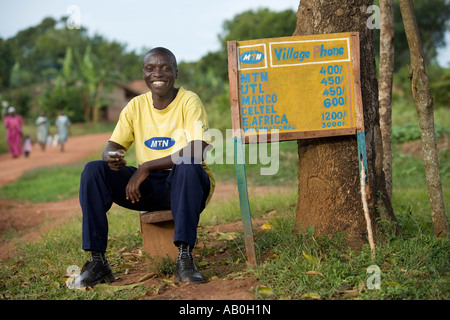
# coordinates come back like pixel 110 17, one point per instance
pixel 95 271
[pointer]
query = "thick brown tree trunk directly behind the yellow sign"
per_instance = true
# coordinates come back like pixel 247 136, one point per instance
pixel 329 198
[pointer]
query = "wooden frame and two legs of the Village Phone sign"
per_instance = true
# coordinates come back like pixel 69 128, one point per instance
pixel 241 138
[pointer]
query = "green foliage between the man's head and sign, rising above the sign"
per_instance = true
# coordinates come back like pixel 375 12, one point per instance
pixel 208 77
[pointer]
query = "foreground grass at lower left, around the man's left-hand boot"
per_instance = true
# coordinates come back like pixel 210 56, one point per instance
pixel 39 272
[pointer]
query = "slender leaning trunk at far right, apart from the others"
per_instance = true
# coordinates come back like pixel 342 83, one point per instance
pixel 424 106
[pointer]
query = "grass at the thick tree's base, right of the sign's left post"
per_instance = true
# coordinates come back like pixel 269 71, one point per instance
pixel 413 266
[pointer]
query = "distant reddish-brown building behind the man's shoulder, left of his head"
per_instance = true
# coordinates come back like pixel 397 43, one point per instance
pixel 120 95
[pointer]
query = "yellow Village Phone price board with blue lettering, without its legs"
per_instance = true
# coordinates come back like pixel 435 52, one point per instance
pixel 303 86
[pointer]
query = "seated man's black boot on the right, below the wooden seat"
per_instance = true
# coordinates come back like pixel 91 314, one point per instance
pixel 186 270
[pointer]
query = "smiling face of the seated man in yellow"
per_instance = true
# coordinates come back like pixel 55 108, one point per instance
pixel 160 72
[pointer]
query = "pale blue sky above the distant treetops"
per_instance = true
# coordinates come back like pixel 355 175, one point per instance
pixel 189 28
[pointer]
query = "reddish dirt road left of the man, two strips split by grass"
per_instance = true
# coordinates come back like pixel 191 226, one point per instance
pixel 31 220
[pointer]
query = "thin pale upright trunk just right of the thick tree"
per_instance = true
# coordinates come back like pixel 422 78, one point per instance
pixel 385 86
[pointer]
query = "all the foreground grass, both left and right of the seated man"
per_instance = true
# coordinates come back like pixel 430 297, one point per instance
pixel 412 266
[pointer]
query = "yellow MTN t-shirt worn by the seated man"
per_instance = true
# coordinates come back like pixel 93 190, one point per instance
pixel 160 133
